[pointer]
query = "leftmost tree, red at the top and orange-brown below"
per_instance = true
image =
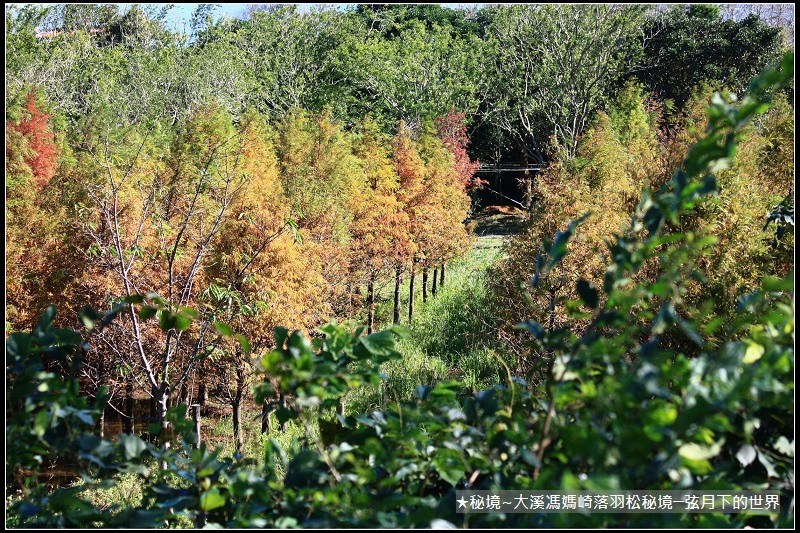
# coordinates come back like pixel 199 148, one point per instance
pixel 39 237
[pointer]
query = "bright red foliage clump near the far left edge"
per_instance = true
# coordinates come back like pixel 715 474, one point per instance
pixel 42 157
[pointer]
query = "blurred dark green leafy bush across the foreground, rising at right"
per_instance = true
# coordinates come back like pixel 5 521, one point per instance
pixel 621 410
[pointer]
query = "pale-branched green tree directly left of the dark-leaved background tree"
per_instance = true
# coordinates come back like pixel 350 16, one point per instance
pixel 555 66
